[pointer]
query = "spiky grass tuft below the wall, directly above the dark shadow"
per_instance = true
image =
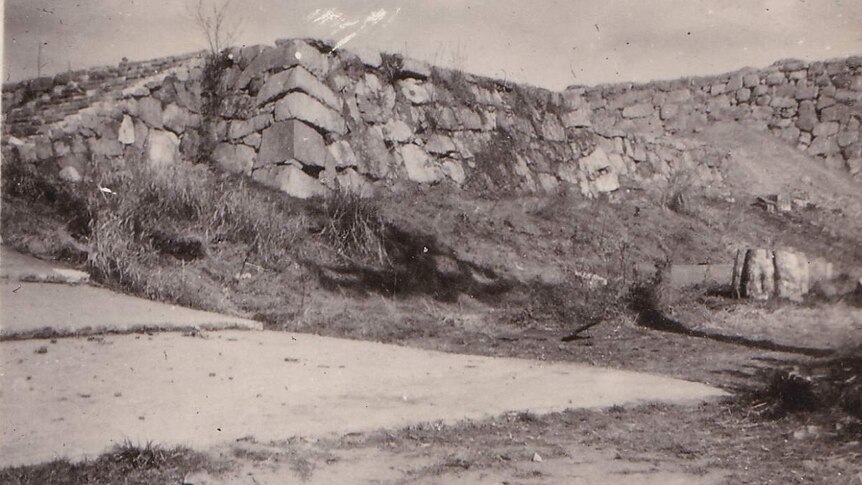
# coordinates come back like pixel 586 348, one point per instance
pixel 355 228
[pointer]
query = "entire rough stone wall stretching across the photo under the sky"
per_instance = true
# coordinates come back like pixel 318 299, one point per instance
pixel 303 119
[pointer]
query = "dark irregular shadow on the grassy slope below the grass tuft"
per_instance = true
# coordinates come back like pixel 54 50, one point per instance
pixel 419 266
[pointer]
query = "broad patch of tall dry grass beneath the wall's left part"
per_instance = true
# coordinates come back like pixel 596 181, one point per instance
pixel 179 212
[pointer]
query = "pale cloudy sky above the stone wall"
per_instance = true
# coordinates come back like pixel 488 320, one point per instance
pixel 550 43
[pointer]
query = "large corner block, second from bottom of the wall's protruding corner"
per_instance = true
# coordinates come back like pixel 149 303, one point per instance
pixel 292 140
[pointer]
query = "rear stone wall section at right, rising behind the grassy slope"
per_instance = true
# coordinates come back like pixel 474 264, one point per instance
pixel 816 107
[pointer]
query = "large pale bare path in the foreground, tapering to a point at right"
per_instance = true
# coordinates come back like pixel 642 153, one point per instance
pixel 79 396
